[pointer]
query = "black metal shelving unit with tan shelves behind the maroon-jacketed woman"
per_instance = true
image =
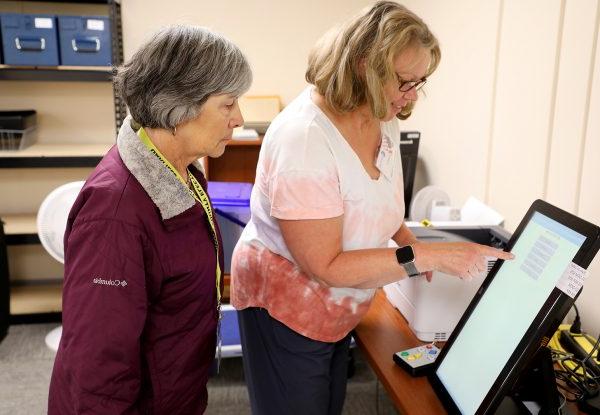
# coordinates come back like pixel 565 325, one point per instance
pixel 41 302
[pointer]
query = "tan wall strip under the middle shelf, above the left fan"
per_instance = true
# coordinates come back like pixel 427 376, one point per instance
pixel 24 189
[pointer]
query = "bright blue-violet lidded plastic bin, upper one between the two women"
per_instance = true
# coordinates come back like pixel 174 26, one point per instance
pixel 231 201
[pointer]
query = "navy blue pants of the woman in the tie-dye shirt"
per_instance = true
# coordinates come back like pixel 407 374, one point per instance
pixel 288 373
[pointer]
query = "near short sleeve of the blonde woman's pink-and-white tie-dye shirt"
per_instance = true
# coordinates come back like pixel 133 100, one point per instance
pixel 302 173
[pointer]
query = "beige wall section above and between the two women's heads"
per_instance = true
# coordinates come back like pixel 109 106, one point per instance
pixel 276 36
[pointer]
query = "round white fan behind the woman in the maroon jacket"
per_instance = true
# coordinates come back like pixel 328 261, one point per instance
pixel 52 223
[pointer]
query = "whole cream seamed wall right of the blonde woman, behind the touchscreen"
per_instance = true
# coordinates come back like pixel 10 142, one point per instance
pixel 513 113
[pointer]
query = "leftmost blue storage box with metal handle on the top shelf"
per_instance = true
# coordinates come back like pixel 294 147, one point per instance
pixel 29 39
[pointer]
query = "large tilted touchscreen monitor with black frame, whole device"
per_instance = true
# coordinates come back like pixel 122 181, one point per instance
pixel 517 308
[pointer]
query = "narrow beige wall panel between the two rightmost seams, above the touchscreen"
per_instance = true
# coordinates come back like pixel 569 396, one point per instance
pixel 571 103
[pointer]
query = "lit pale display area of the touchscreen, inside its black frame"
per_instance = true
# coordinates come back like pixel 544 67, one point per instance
pixel 506 310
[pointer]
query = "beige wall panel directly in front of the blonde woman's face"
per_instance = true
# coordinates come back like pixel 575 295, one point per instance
pixel 454 117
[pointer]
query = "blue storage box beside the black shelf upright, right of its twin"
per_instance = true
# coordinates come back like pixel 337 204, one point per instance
pixel 85 40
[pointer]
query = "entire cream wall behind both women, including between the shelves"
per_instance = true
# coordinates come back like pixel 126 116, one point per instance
pixel 511 115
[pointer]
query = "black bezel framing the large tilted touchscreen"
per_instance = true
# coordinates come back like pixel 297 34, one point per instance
pixel 545 323
